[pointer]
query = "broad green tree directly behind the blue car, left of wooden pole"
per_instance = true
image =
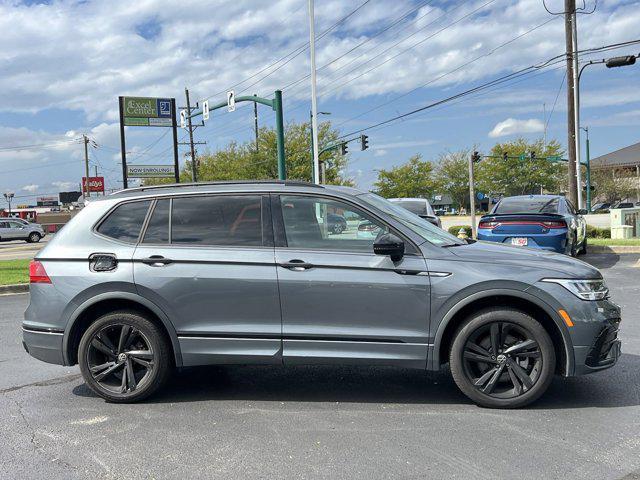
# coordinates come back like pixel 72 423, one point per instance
pixel 518 177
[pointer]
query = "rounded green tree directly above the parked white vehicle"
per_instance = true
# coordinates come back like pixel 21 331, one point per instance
pixel 412 179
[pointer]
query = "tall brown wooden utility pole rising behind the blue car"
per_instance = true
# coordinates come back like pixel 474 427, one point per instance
pixel 569 10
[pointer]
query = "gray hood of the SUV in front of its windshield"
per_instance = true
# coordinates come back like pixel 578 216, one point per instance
pixel 561 266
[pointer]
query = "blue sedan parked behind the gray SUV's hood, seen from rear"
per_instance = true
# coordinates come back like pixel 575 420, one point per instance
pixel 548 222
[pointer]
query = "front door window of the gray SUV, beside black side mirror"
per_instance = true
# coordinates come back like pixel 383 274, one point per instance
pixel 325 224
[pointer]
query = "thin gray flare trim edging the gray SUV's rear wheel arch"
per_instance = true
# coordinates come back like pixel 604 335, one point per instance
pixel 120 295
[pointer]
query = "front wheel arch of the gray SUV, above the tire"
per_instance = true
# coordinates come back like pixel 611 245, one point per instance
pixel 518 299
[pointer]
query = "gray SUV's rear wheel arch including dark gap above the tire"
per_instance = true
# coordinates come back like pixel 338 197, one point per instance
pixel 104 303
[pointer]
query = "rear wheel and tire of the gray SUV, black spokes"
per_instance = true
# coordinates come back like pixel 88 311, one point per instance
pixel 108 363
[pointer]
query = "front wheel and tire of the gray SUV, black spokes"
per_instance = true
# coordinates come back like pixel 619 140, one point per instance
pixel 509 388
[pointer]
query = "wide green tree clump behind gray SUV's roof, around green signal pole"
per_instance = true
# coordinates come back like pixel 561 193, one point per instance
pixel 241 161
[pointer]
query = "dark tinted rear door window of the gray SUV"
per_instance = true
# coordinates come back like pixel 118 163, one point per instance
pixel 217 220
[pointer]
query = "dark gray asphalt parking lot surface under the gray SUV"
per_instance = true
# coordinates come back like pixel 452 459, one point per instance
pixel 320 422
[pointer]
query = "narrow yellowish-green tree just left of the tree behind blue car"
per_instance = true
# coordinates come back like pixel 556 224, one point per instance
pixel 452 176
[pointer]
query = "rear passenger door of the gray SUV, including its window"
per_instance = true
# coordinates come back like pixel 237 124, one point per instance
pixel 208 261
